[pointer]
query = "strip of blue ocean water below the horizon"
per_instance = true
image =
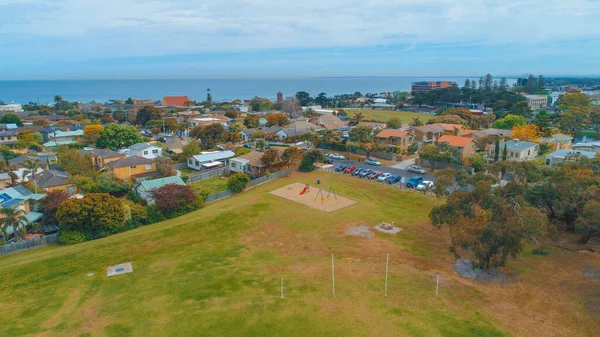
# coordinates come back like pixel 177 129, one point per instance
pixel 221 89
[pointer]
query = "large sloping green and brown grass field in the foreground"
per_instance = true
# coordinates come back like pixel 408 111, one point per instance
pixel 217 271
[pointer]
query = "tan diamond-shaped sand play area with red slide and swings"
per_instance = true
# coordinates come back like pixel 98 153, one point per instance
pixel 325 201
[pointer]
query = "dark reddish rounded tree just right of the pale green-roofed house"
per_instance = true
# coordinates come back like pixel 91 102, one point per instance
pixel 173 198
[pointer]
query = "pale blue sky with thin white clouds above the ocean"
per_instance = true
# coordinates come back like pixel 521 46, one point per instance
pixel 105 39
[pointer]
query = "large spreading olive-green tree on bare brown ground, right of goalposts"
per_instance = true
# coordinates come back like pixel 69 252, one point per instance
pixel 492 227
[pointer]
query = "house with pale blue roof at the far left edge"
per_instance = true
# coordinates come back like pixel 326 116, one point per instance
pixel 22 199
